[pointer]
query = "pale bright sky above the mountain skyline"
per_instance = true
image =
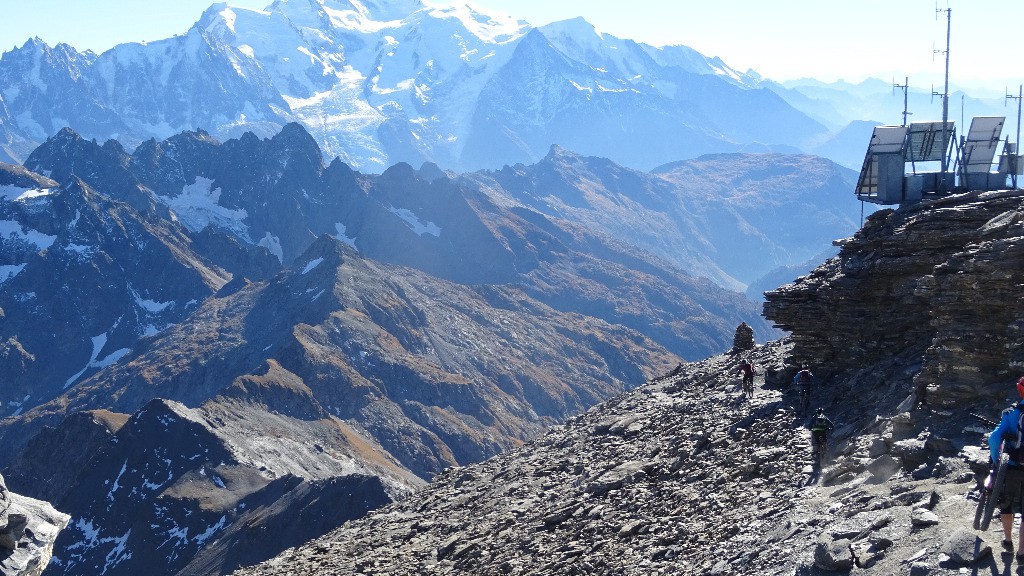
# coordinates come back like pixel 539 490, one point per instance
pixel 782 39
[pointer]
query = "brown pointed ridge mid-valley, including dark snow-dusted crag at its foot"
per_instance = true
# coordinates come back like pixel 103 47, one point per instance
pixel 280 410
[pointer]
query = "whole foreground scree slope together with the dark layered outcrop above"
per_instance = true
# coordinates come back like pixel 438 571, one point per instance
pixel 684 476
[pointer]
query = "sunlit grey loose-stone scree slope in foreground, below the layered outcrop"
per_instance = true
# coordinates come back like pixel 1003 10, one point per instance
pixel 684 476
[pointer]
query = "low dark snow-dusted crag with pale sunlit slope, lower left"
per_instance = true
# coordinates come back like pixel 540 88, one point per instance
pixel 204 490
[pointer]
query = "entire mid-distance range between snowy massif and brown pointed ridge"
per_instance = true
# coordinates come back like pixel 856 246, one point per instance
pixel 216 212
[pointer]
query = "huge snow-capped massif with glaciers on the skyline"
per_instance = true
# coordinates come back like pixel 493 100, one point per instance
pixel 377 84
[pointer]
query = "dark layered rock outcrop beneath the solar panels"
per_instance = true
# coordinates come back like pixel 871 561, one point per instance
pixel 935 287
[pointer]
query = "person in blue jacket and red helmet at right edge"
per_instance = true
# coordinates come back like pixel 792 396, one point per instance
pixel 1008 434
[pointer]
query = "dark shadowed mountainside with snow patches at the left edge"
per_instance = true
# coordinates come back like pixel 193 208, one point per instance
pixel 83 277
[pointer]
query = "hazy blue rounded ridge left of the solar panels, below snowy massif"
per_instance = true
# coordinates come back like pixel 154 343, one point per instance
pixel 716 217
